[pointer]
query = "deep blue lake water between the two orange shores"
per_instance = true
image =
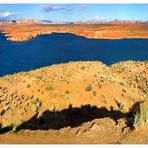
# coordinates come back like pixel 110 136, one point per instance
pixel 58 48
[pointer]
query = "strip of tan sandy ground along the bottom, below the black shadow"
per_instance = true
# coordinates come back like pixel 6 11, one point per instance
pixel 95 135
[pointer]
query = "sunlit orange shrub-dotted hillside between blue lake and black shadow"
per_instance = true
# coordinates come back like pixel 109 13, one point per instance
pixel 97 84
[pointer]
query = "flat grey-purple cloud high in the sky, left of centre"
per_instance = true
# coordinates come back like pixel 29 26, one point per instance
pixel 50 8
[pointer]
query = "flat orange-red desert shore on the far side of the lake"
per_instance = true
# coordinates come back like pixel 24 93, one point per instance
pixel 106 31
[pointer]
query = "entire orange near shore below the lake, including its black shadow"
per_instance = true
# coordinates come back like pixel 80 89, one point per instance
pixel 82 102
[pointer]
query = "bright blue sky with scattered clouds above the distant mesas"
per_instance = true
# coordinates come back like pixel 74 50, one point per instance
pixel 74 12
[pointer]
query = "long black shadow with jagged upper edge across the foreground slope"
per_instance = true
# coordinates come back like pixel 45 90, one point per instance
pixel 72 117
